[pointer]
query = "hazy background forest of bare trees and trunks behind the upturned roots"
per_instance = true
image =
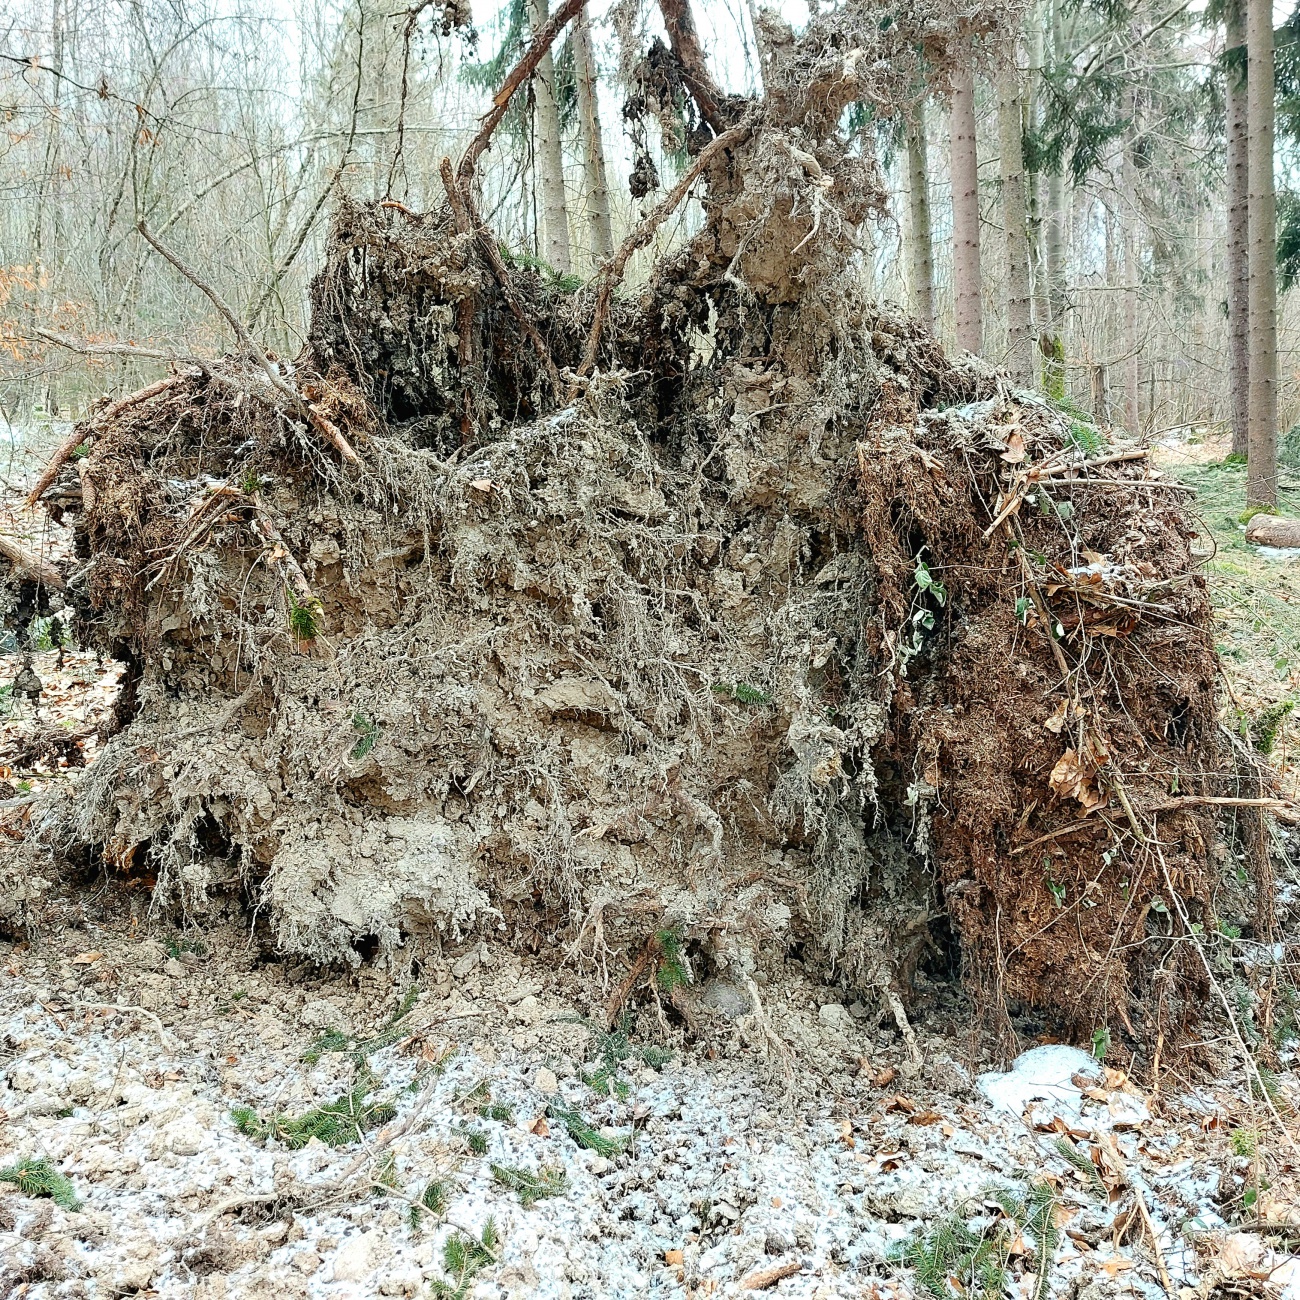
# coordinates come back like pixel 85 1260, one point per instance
pixel 229 128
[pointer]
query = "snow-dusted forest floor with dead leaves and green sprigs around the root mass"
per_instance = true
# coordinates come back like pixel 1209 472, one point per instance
pixel 202 1119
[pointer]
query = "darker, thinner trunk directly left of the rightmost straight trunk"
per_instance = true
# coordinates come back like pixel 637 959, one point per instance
pixel 1238 227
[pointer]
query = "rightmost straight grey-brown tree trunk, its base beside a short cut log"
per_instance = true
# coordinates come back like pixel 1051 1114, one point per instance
pixel 1262 478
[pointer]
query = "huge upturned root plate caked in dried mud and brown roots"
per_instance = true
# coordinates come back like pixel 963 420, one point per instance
pixel 778 630
